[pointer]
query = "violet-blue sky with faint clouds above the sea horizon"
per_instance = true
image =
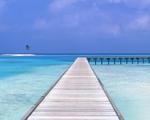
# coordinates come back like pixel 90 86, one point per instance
pixel 75 26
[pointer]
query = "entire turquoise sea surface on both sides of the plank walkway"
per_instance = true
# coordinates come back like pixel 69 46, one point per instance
pixel 23 80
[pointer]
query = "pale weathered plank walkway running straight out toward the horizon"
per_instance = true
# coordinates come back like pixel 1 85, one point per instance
pixel 78 95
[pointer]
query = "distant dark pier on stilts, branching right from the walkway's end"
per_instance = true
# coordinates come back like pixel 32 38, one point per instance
pixel 119 59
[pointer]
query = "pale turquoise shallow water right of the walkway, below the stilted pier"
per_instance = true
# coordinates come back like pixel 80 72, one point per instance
pixel 129 86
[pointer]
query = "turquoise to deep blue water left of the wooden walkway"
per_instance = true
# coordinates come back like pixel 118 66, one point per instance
pixel 23 80
